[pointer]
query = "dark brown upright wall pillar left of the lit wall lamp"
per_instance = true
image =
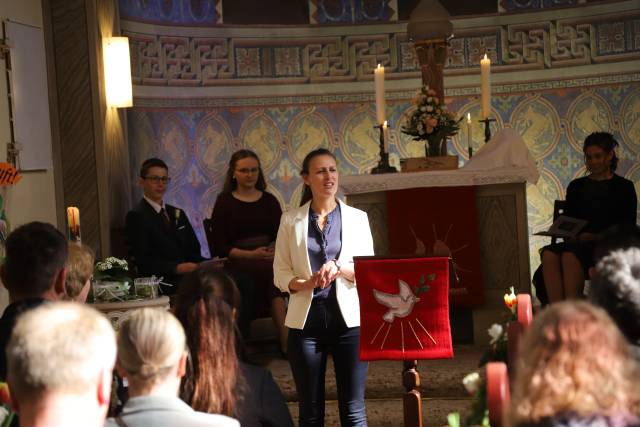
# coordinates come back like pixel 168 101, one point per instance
pixel 75 113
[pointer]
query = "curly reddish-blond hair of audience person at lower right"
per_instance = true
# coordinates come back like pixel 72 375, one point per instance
pixel 575 369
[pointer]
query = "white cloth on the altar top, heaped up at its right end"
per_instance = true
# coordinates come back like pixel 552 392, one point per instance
pixel 505 159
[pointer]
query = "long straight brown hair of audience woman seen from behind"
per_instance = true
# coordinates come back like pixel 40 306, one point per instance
pixel 205 306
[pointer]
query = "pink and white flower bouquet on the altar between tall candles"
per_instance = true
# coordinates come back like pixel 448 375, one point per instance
pixel 431 122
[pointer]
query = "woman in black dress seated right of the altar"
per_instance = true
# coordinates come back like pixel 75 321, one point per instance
pixel 603 199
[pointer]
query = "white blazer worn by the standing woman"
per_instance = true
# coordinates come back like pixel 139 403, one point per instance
pixel 292 260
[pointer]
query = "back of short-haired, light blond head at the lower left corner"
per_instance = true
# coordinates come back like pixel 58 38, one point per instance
pixel 60 360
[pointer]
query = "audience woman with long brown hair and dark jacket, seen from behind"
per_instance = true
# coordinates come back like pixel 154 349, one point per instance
pixel 216 382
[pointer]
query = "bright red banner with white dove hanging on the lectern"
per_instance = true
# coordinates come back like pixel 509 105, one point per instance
pixel 404 308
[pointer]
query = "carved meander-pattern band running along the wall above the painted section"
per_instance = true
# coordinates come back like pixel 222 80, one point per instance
pixel 186 60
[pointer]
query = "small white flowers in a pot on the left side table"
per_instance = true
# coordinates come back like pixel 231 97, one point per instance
pixel 111 280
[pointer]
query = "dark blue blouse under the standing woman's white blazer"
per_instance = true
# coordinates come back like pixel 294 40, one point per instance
pixel 324 245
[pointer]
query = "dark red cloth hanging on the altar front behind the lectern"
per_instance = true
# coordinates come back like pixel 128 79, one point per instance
pixel 440 221
